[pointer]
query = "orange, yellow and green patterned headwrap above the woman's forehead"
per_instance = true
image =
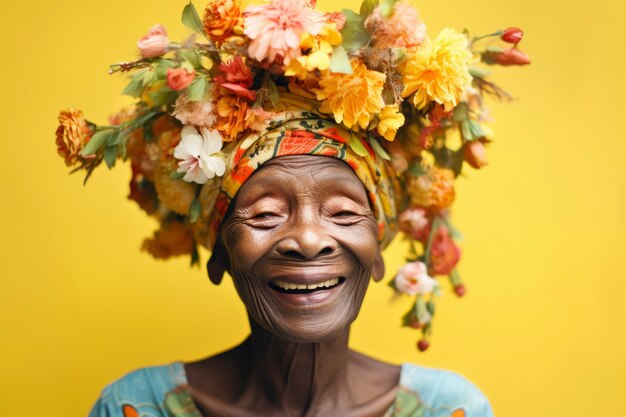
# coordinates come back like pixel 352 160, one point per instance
pixel 307 133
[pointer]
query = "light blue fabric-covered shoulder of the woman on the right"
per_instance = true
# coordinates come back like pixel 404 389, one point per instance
pixel 445 393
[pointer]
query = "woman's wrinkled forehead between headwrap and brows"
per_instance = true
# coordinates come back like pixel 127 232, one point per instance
pixel 305 173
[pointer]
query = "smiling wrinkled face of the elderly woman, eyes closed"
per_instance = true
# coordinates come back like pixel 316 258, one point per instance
pixel 302 244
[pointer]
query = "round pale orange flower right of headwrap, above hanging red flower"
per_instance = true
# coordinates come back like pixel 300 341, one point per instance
pixel 433 190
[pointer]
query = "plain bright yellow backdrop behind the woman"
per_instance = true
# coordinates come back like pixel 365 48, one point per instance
pixel 541 330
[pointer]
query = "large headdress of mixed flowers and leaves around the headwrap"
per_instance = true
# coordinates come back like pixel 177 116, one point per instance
pixel 413 103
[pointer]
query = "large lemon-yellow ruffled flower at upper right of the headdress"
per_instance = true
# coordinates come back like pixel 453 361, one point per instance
pixel 437 71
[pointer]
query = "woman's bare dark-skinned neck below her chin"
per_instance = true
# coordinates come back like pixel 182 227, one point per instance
pixel 300 377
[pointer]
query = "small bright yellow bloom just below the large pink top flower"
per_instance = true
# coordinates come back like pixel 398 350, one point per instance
pixel 319 48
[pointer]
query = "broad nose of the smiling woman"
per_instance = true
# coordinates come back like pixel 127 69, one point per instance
pixel 307 241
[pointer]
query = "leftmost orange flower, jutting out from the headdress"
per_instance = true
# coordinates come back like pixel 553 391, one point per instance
pixel 72 134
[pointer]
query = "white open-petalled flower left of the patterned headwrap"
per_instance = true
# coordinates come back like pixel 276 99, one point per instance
pixel 196 151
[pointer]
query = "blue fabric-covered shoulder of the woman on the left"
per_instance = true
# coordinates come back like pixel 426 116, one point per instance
pixel 141 392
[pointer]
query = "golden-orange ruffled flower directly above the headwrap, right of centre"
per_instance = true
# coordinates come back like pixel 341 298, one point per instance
pixel 352 98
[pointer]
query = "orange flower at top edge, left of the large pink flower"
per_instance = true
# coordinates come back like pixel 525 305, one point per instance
pixel 223 19
